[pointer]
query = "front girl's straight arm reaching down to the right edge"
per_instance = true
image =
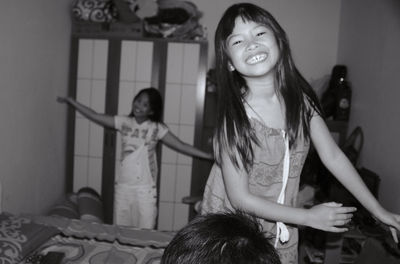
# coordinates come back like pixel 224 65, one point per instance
pixel 339 165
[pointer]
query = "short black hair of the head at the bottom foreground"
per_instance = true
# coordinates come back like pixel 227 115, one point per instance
pixel 221 238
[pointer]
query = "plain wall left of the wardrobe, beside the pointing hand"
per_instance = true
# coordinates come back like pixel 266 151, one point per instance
pixel 33 71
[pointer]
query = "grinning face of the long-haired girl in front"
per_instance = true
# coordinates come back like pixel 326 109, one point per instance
pixel 252 49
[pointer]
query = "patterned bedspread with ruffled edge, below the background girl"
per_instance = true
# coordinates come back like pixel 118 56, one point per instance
pixel 96 243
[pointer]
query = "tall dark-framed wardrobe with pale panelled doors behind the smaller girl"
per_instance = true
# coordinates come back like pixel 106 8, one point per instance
pixel 107 68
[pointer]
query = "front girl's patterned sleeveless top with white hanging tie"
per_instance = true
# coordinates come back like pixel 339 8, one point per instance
pixel 265 179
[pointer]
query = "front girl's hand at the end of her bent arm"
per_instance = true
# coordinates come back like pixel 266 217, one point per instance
pixel 330 217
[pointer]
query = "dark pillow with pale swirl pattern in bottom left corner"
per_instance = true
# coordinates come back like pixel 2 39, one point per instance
pixel 19 236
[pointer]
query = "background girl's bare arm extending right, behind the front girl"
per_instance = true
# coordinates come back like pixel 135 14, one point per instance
pixel 175 143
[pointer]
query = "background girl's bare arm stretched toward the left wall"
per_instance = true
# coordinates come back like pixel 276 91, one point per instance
pixel 100 119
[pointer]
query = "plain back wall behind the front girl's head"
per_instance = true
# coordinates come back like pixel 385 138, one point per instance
pixel 312 27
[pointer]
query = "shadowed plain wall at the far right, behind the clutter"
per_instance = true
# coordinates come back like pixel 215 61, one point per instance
pixel 369 45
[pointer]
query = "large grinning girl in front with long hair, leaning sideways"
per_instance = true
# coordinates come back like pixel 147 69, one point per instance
pixel 268 117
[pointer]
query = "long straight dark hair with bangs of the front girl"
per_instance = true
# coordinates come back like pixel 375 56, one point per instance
pixel 233 133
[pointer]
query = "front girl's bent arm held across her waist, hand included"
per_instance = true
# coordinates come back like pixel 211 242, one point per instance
pixel 328 216
